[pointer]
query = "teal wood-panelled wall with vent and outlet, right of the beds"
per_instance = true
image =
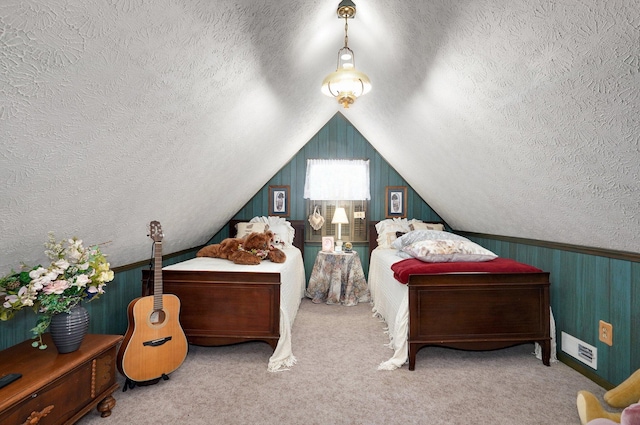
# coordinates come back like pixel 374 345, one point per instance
pixel 584 290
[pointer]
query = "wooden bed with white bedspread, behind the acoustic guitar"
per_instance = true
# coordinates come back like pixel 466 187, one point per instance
pixel 224 303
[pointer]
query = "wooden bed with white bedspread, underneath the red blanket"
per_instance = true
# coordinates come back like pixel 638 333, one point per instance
pixel 465 310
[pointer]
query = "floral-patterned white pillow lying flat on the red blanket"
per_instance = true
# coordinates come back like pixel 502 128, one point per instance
pixel 443 251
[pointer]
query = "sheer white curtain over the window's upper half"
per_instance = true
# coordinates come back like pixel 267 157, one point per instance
pixel 337 180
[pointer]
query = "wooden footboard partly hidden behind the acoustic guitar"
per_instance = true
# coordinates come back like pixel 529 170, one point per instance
pixel 221 308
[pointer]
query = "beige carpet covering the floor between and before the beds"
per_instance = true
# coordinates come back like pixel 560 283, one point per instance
pixel 336 382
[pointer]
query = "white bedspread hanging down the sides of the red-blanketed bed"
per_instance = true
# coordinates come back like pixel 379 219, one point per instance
pixel 391 303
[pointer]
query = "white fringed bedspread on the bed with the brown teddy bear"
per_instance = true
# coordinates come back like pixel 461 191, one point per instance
pixel 292 288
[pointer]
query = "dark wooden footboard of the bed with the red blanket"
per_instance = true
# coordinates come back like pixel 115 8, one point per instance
pixel 479 311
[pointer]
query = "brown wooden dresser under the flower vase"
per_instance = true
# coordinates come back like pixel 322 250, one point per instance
pixel 58 388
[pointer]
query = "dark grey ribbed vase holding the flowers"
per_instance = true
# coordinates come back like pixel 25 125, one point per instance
pixel 68 329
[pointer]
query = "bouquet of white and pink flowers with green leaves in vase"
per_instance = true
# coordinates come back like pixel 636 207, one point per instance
pixel 76 273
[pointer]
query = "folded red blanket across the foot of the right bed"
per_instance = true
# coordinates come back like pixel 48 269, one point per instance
pixel 403 269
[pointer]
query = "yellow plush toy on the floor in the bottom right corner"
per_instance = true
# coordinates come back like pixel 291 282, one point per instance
pixel 626 395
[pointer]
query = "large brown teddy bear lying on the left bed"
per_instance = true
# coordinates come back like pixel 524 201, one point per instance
pixel 251 249
